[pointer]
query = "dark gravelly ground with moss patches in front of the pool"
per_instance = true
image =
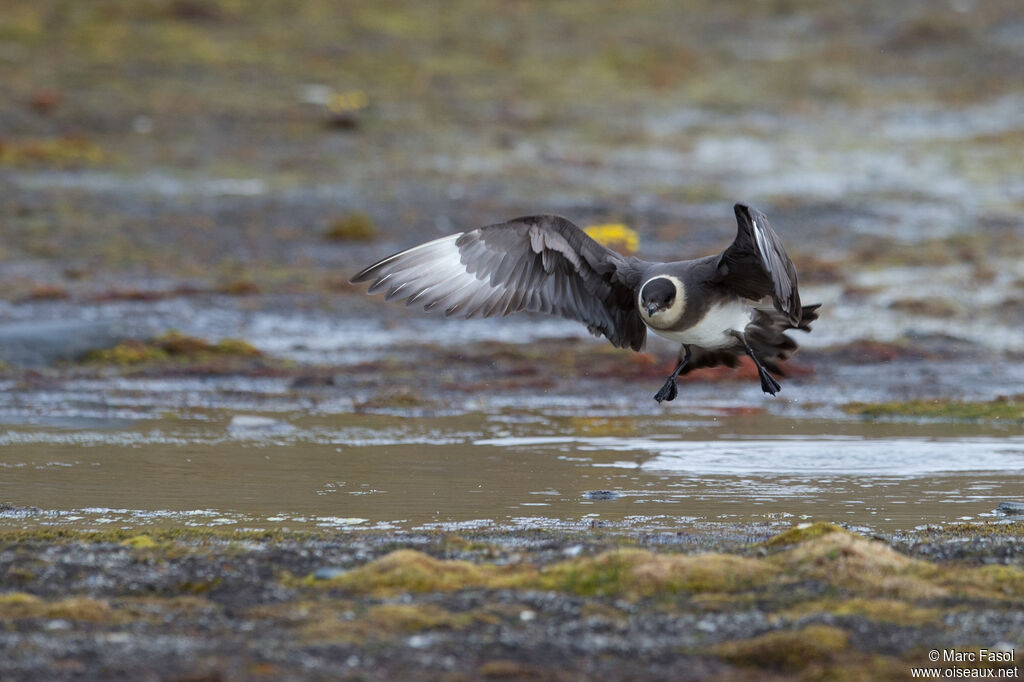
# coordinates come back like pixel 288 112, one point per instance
pixel 815 603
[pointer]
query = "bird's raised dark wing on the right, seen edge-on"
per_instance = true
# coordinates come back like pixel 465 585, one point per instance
pixel 756 265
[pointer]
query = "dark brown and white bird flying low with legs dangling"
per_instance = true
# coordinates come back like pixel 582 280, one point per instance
pixel 718 309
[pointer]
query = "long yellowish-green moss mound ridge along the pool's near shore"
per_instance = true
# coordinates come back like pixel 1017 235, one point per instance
pixel 858 571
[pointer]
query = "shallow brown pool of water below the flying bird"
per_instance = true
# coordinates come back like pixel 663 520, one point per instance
pixel 515 472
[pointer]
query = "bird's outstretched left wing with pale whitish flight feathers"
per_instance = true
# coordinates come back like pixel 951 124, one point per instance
pixel 539 264
